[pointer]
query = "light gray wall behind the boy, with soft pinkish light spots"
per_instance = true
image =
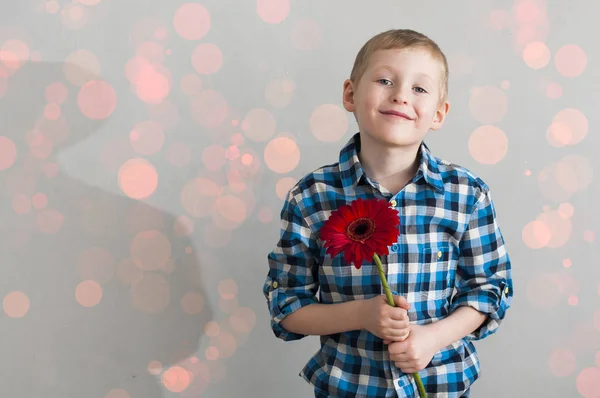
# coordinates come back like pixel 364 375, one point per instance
pixel 548 345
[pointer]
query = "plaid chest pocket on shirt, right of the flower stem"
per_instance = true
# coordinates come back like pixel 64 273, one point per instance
pixel 437 267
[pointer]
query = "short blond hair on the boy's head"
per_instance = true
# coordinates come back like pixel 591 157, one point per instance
pixel 399 39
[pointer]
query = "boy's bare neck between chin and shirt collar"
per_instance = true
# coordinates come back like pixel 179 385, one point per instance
pixel 392 167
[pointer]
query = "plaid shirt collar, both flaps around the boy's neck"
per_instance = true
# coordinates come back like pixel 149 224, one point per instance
pixel 351 170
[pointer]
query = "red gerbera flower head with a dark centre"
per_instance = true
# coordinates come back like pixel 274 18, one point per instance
pixel 361 229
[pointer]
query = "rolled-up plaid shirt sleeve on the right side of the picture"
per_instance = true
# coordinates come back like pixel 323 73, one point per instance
pixel 483 277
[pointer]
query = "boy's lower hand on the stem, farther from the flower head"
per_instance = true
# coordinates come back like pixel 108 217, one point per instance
pixel 415 353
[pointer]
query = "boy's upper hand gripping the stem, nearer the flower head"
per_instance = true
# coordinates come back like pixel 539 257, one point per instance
pixel 384 321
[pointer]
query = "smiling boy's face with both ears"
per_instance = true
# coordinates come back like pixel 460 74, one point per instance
pixel 397 99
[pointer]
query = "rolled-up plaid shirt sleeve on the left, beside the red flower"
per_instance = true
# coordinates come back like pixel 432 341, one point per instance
pixel 292 281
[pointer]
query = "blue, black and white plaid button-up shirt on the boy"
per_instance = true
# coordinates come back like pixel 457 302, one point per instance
pixel 450 253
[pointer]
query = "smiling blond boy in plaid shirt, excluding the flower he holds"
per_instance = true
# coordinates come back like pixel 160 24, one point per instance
pixel 449 268
